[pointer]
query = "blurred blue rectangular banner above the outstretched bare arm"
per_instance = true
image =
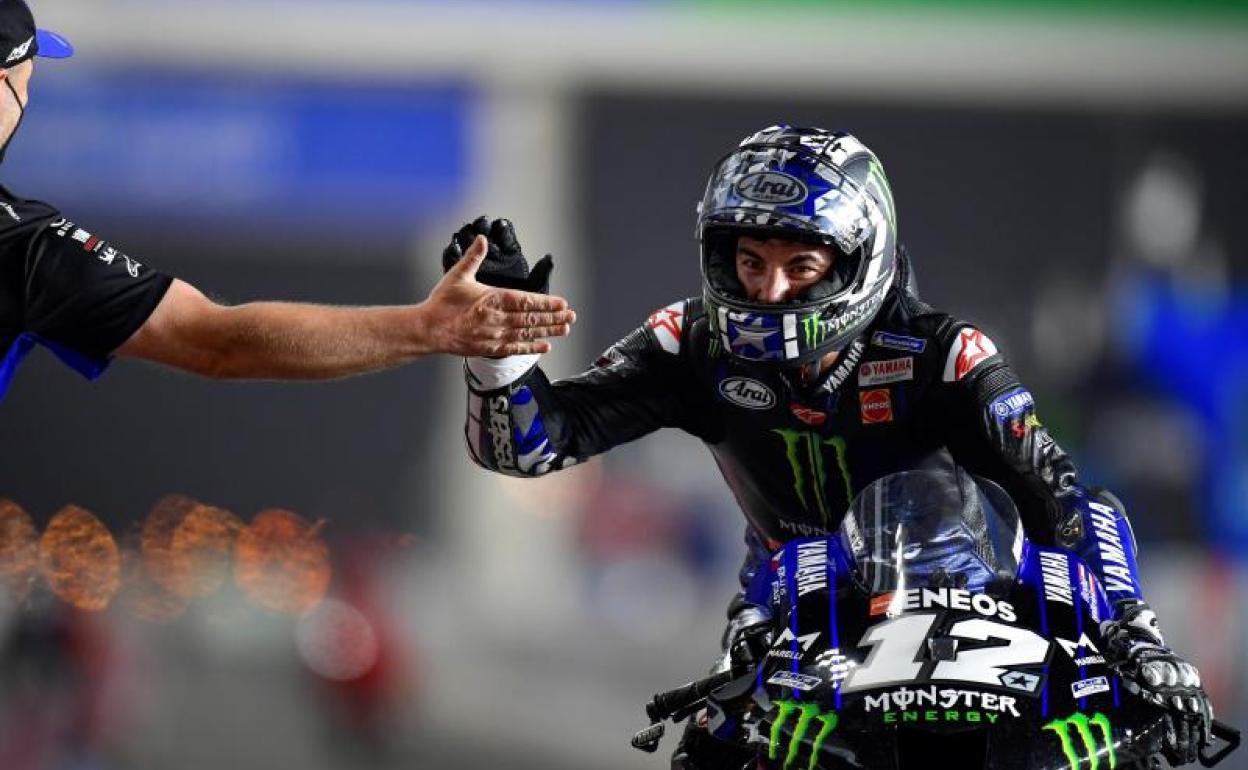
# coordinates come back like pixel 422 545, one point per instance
pixel 243 149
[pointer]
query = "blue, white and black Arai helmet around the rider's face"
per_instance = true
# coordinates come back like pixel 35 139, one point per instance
pixel 807 185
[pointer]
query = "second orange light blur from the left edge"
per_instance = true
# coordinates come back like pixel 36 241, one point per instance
pixel 80 561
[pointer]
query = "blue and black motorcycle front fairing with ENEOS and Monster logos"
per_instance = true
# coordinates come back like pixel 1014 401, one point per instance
pixel 1056 704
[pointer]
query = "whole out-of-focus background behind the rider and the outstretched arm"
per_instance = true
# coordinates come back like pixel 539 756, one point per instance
pixel 1071 177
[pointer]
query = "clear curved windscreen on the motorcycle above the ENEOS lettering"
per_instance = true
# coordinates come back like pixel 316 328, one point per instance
pixel 934 530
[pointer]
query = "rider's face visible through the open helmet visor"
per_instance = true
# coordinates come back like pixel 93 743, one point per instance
pixel 777 270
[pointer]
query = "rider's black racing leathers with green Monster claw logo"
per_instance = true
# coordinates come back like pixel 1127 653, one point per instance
pixel 918 389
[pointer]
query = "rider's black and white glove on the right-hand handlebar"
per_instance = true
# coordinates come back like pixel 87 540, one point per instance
pixel 1150 670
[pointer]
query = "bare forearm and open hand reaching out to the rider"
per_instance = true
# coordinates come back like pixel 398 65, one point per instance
pixel 299 341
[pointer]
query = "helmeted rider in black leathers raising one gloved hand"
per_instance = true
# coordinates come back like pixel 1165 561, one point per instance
pixel 811 368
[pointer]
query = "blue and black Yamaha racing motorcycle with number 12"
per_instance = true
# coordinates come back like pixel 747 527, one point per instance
pixel 928 630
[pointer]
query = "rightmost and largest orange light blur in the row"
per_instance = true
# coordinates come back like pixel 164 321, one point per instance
pixel 281 563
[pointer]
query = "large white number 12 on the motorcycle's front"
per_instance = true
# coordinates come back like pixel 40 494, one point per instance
pixel 897 653
